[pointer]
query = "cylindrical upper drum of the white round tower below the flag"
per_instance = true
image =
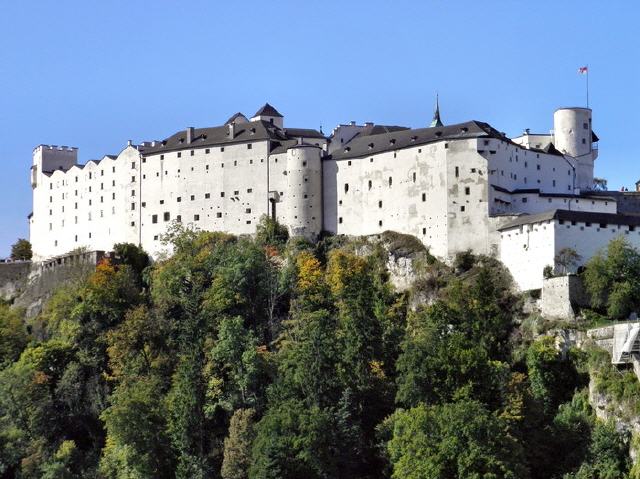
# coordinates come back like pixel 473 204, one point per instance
pixel 572 131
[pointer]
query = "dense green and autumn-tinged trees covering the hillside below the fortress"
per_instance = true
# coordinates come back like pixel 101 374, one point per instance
pixel 274 358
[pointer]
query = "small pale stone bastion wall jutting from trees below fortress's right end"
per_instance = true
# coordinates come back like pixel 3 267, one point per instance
pixel 562 296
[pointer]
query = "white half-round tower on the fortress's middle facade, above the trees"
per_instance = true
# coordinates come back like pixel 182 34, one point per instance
pixel 304 190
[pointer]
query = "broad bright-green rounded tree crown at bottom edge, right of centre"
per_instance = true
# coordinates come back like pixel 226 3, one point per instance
pixel 460 439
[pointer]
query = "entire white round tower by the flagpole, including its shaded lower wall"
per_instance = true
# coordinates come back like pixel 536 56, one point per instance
pixel 573 136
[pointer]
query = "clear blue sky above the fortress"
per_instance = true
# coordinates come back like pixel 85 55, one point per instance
pixel 95 74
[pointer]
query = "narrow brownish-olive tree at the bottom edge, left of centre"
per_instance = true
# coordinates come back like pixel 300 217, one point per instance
pixel 237 446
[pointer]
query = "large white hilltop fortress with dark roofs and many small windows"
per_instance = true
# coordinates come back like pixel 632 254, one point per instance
pixel 455 187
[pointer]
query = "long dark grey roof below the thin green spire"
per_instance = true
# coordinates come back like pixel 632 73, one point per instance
pixel 403 138
